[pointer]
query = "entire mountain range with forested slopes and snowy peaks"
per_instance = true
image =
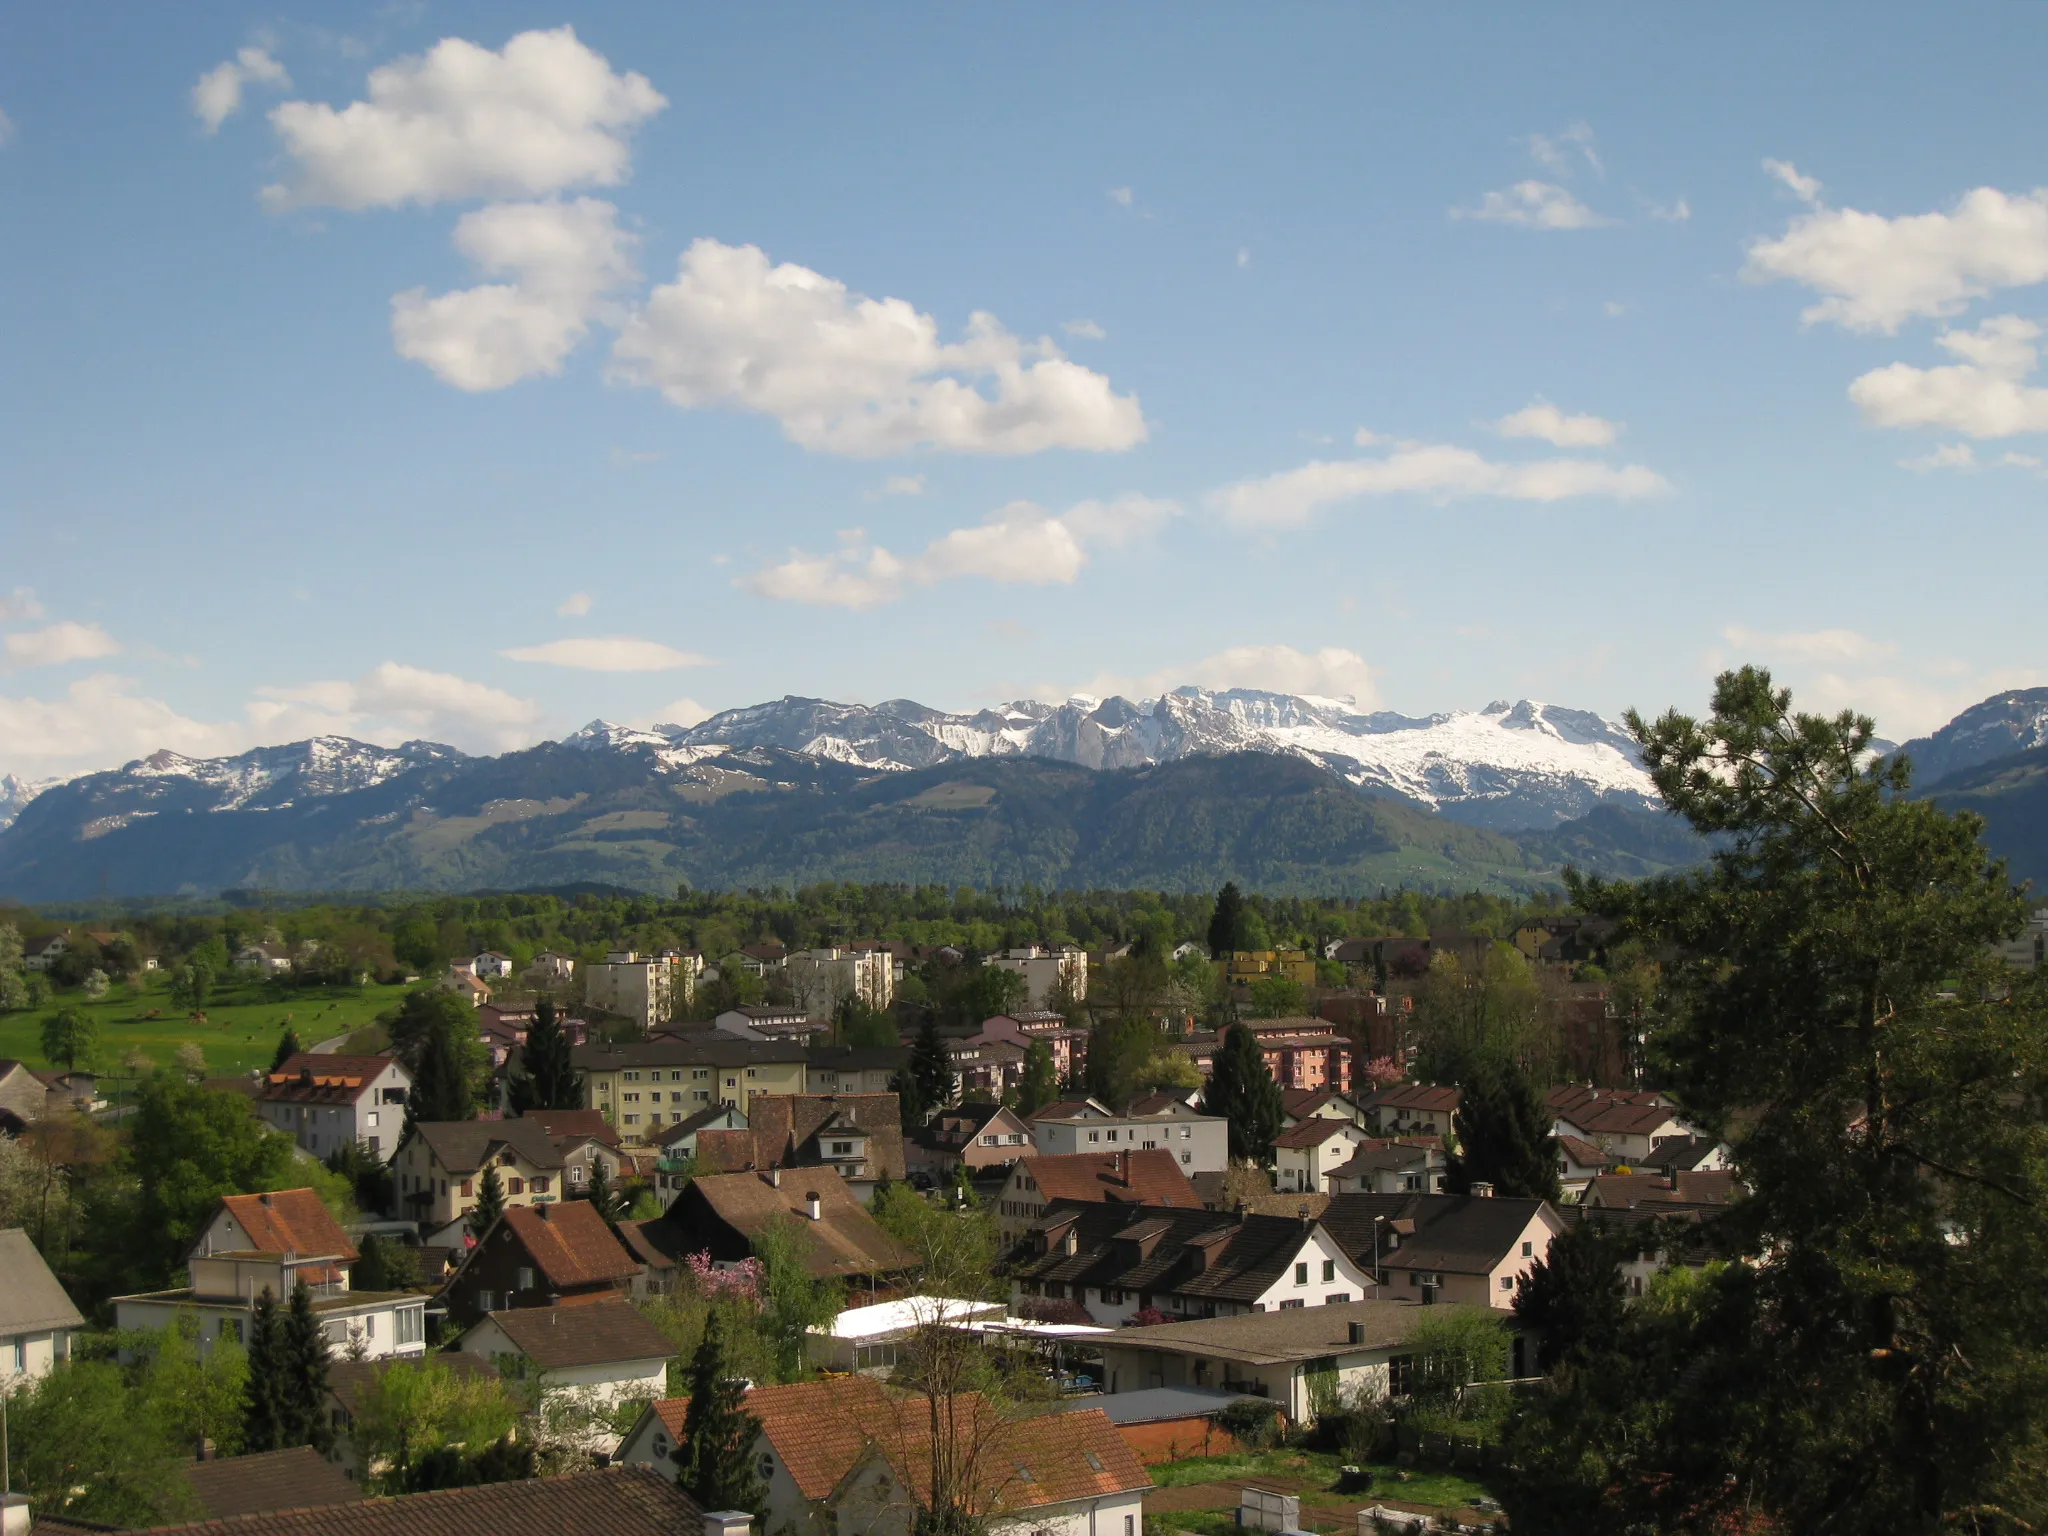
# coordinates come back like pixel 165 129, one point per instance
pixel 1279 792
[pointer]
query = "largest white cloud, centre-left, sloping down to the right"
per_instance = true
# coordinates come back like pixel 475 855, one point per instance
pixel 857 376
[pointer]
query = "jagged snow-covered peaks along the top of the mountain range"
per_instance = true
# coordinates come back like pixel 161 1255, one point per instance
pixel 1506 767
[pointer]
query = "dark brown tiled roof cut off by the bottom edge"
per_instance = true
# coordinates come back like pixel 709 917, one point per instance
pixel 611 1502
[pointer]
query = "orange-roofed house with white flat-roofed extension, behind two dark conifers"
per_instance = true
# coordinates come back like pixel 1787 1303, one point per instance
pixel 278 1242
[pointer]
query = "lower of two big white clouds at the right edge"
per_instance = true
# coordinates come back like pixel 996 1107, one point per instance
pixel 1981 396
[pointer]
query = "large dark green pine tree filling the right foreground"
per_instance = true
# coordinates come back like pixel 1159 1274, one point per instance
pixel 1828 1007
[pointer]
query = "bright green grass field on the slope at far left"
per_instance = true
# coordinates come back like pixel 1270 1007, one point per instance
pixel 241 1031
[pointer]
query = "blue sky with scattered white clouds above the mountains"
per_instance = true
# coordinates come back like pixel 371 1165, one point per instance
pixel 470 372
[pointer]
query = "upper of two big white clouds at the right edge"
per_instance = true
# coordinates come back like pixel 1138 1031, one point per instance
pixel 1879 273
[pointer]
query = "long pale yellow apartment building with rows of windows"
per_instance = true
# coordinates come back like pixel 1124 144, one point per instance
pixel 650 1084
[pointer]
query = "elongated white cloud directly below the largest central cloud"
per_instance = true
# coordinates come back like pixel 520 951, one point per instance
pixel 1019 544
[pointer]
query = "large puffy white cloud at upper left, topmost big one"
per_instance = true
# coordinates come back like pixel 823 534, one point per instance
pixel 542 116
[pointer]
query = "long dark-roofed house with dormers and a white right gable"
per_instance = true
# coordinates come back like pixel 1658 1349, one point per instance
pixel 1121 1261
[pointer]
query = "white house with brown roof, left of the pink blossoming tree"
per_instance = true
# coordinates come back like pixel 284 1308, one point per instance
pixel 603 1351
